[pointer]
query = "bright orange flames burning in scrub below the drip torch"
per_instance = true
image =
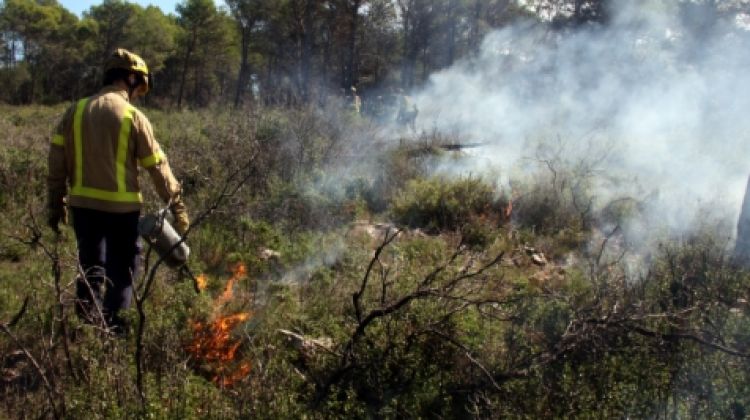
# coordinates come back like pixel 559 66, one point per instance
pixel 213 345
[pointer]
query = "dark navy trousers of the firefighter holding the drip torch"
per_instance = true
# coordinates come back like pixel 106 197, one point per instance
pixel 108 251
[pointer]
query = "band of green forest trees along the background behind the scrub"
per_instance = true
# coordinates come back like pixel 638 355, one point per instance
pixel 276 52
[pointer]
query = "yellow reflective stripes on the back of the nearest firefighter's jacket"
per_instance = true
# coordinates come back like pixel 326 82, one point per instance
pixel 121 195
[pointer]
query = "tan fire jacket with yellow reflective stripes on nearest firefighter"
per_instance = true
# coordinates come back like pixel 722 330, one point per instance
pixel 96 150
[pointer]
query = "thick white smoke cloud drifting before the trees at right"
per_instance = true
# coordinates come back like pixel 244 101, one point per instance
pixel 667 92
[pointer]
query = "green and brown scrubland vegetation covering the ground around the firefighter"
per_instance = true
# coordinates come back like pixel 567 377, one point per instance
pixel 372 288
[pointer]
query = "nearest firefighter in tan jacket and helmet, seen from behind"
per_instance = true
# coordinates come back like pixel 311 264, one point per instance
pixel 93 160
